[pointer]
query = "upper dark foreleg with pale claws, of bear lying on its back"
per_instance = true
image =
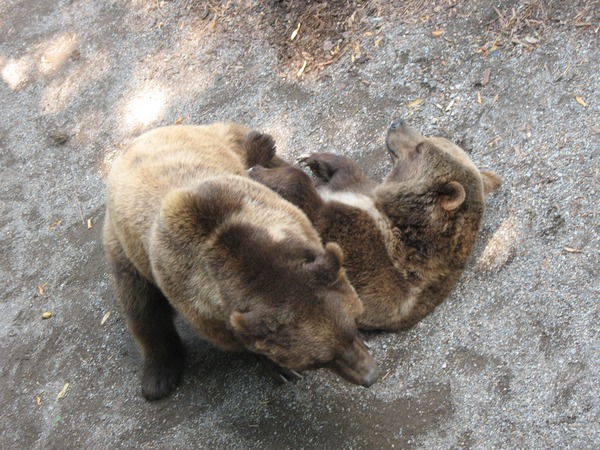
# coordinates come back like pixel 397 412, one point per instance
pixel 338 173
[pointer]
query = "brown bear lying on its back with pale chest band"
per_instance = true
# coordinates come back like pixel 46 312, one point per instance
pixel 405 241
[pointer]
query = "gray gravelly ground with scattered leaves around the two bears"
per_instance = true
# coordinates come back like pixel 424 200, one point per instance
pixel 510 360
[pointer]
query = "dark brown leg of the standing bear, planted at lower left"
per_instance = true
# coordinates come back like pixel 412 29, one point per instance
pixel 150 319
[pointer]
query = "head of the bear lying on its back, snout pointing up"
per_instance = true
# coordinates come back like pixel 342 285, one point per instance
pixel 433 183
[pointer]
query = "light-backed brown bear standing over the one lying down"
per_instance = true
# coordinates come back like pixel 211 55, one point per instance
pixel 186 230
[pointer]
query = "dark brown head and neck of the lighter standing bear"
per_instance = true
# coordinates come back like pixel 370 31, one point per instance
pixel 292 303
